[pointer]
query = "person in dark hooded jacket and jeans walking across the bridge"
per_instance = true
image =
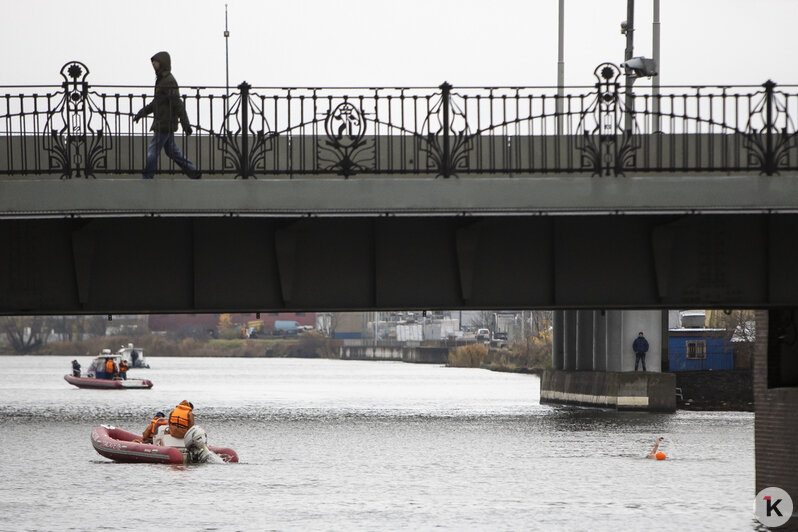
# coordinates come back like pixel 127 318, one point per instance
pixel 167 108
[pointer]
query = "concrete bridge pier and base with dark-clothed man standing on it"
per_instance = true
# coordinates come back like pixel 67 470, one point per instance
pixel 594 364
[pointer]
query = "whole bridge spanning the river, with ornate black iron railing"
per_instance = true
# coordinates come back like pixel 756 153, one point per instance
pixel 599 204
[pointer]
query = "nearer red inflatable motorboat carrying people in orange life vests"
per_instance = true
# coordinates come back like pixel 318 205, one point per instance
pixel 118 445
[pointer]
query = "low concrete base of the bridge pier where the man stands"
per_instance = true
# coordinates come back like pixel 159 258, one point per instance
pixel 621 390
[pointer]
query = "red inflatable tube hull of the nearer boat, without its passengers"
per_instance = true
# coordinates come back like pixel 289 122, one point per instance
pixel 118 445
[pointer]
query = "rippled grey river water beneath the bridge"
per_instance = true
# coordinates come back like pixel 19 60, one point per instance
pixel 347 445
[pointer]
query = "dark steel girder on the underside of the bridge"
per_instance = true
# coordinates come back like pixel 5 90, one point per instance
pixel 221 264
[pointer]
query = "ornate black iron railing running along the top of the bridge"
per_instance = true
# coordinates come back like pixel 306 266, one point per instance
pixel 80 130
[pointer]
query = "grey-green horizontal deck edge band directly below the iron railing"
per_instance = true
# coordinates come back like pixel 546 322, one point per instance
pixel 380 195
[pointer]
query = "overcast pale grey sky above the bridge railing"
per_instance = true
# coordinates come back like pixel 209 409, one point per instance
pixel 398 43
